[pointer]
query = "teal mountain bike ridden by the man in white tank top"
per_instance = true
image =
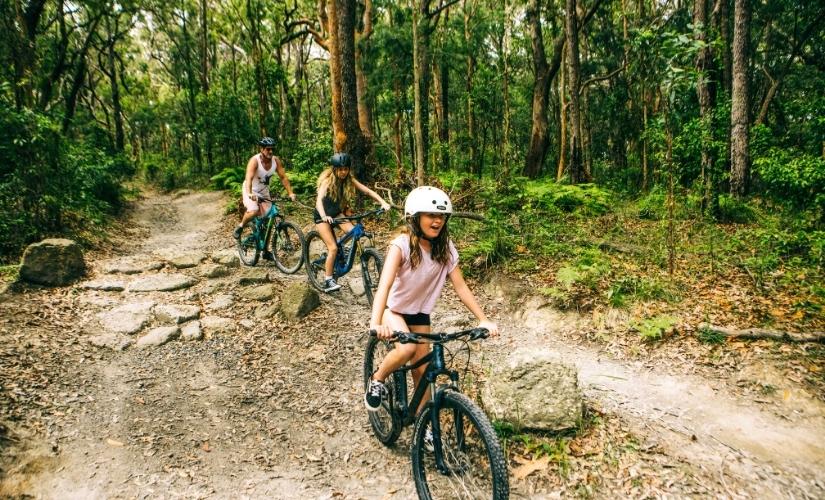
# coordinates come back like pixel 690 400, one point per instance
pixel 272 233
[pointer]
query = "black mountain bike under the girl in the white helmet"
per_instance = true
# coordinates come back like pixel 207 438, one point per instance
pixel 454 450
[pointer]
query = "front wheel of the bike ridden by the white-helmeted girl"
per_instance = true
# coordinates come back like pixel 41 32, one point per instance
pixel 475 465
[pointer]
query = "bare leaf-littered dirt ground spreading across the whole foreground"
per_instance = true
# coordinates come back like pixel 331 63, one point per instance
pixel 262 408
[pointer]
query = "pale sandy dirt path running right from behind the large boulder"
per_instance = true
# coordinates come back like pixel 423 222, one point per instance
pixel 695 419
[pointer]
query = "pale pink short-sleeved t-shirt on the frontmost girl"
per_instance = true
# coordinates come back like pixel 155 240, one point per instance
pixel 416 290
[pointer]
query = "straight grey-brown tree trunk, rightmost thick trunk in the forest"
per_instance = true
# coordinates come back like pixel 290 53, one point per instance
pixel 740 167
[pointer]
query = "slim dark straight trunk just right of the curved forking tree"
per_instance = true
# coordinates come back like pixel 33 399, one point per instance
pixel 576 168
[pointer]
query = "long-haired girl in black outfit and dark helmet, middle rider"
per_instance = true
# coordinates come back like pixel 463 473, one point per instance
pixel 336 192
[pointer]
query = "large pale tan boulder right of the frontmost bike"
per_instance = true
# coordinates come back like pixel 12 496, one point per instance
pixel 534 389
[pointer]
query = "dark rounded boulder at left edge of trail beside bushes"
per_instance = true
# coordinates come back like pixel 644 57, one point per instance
pixel 52 262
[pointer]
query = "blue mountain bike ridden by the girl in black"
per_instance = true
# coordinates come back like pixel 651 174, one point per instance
pixel 370 260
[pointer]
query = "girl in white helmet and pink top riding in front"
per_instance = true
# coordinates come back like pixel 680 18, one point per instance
pixel 417 265
